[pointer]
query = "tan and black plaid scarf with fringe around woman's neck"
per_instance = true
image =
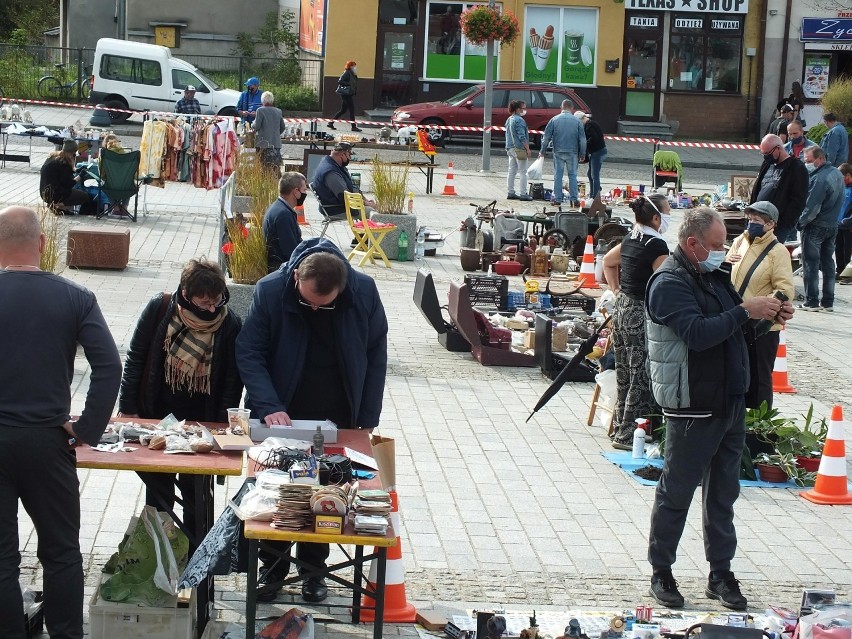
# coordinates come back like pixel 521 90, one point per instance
pixel 189 350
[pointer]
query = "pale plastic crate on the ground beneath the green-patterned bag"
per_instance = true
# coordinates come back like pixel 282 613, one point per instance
pixel 109 620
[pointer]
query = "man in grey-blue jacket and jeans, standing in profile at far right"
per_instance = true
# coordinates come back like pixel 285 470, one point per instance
pixel 818 224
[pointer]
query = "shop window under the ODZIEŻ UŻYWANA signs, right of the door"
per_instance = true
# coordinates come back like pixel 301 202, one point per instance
pixel 705 53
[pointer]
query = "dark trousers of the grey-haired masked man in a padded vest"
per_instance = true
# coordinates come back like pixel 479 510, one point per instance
pixel 705 451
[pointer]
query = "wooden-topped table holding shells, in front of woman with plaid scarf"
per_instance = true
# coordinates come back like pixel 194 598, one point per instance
pixel 202 468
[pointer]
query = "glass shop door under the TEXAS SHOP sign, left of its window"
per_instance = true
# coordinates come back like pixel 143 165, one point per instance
pixel 643 45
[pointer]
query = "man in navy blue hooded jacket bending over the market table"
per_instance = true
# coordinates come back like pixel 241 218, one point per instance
pixel 314 346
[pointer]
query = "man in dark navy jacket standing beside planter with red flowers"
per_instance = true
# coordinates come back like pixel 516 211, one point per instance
pixel 280 227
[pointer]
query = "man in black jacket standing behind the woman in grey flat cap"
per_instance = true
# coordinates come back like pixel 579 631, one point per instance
pixel 783 180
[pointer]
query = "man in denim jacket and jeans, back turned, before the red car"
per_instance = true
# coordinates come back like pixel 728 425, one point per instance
pixel 569 145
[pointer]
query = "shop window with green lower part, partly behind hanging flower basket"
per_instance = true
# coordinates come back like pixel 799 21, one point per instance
pixel 448 55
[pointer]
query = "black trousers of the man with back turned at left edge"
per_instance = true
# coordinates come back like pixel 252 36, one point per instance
pixel 38 468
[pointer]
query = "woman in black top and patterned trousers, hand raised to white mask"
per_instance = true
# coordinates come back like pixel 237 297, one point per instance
pixel 628 267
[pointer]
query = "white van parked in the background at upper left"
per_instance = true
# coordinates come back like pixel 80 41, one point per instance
pixel 144 77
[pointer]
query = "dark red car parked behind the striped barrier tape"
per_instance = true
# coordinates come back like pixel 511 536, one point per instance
pixel 466 108
